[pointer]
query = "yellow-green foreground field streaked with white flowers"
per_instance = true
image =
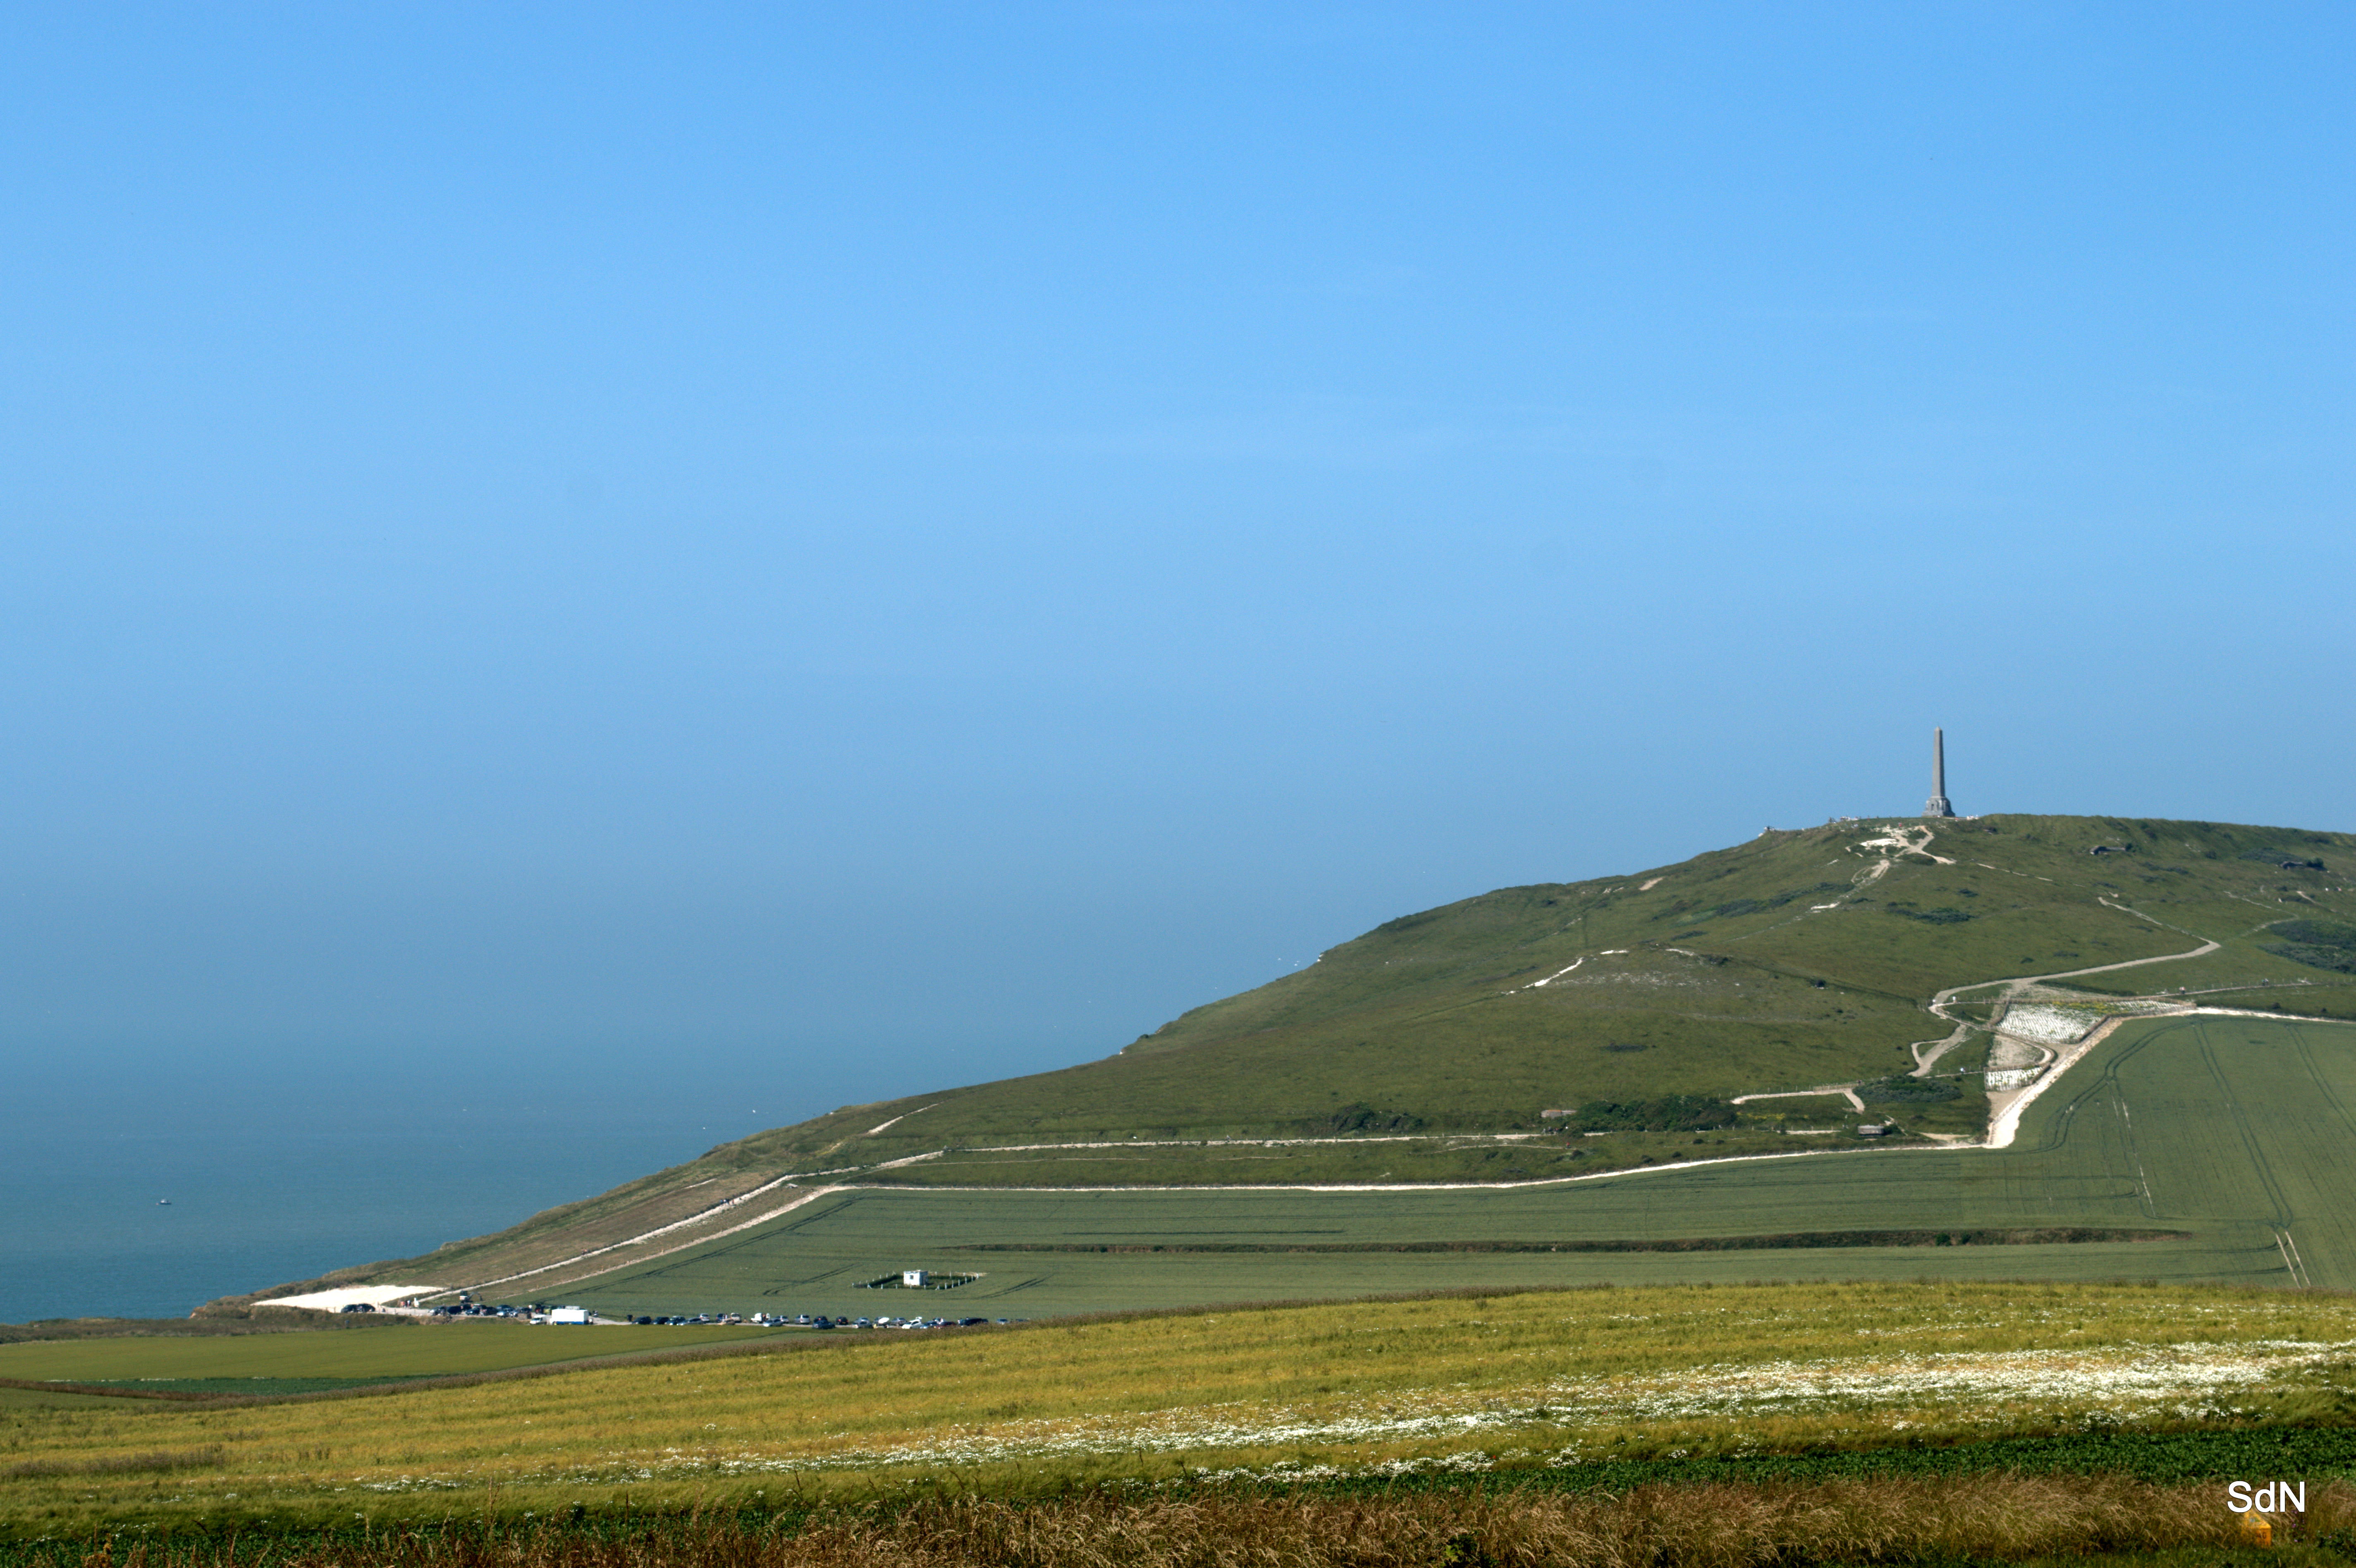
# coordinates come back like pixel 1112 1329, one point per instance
pixel 1516 1381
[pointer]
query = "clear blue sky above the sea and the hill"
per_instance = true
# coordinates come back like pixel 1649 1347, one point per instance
pixel 800 554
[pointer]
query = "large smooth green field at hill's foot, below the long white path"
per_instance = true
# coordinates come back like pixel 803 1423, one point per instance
pixel 2230 1136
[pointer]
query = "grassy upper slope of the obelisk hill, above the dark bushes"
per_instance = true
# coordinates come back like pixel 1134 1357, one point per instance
pixel 1721 976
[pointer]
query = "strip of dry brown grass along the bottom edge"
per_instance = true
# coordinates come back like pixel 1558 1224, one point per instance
pixel 1653 1527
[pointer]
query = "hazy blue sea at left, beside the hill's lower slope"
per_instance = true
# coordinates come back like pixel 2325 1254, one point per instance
pixel 286 1169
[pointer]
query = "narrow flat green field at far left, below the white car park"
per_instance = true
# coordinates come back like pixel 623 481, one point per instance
pixel 298 1364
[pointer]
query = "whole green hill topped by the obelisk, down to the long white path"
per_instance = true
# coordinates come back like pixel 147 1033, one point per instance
pixel 1436 1047
